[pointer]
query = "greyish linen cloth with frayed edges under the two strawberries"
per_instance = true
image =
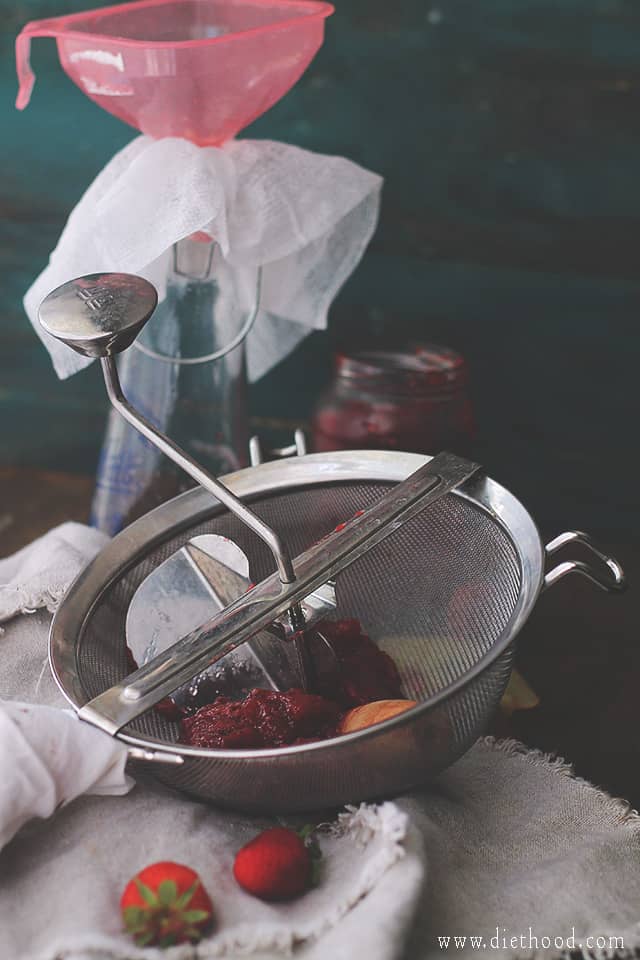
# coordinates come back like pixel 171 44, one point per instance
pixel 505 844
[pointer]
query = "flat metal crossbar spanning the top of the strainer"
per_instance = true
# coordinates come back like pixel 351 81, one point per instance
pixel 271 598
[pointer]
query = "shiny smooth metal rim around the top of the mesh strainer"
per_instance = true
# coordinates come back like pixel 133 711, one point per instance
pixel 196 505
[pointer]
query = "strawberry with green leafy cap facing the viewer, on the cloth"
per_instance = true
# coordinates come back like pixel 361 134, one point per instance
pixel 165 904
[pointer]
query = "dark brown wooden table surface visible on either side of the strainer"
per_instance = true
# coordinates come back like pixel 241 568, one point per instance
pixel 579 650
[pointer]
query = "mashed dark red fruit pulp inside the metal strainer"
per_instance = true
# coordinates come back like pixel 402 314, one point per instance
pixel 266 718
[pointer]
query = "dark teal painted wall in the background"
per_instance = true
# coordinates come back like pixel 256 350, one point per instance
pixel 509 135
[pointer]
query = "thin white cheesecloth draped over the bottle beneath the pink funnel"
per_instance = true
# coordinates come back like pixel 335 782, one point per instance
pixel 305 218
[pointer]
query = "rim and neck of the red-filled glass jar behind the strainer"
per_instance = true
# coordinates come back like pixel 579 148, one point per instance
pixel 418 367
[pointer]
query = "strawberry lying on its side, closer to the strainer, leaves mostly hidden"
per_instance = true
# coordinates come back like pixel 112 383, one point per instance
pixel 276 865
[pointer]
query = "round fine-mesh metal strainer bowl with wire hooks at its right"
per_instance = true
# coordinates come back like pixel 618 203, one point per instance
pixel 445 594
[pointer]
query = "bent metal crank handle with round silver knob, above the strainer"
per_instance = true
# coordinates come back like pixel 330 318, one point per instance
pixel 99 316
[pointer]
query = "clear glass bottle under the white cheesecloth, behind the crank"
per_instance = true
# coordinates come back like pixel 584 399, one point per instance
pixel 186 373
